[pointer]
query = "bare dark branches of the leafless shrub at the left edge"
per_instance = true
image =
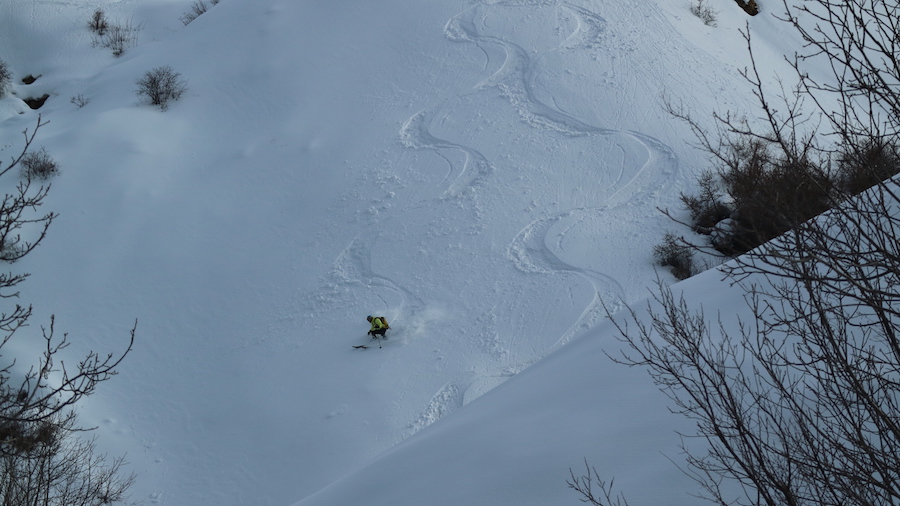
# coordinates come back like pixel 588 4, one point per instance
pixel 44 457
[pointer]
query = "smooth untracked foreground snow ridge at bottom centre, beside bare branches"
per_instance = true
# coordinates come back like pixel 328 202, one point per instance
pixel 517 444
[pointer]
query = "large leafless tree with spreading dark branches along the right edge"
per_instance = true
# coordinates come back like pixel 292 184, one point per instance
pixel 798 404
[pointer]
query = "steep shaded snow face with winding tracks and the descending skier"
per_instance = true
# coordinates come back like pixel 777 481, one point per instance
pixel 486 174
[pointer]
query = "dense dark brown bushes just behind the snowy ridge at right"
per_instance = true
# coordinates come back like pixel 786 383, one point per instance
pixel 757 191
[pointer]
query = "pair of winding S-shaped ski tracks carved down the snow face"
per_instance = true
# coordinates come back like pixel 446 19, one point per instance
pixel 512 71
